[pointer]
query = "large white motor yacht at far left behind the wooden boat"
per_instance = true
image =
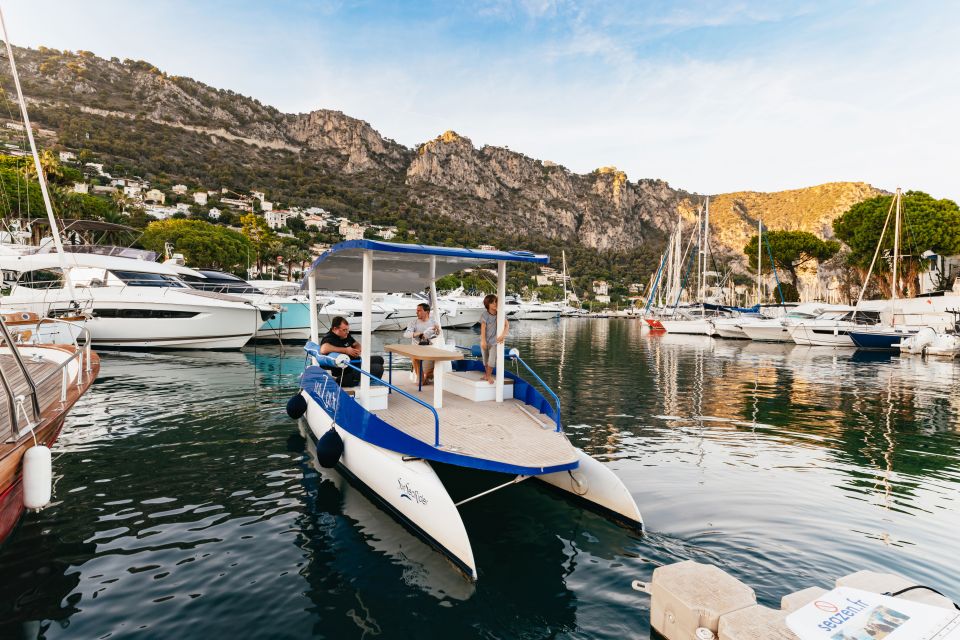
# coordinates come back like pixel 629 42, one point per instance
pixel 131 303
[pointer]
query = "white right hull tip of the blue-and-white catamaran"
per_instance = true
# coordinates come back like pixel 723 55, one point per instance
pixel 595 483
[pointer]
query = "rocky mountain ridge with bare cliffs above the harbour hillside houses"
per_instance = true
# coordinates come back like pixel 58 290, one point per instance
pixel 181 130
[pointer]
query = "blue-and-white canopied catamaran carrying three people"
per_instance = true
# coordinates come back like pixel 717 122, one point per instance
pixel 387 434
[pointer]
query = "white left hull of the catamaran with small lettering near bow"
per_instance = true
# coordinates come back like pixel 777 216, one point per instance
pixel 409 488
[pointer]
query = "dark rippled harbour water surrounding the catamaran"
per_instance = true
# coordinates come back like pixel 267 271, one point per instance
pixel 187 505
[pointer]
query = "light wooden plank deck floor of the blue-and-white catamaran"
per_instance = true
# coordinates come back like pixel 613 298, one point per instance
pixel 510 432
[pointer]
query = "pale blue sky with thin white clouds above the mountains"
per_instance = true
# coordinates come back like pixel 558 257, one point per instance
pixel 710 96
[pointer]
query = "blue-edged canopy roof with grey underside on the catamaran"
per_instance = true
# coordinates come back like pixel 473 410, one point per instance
pixel 400 267
